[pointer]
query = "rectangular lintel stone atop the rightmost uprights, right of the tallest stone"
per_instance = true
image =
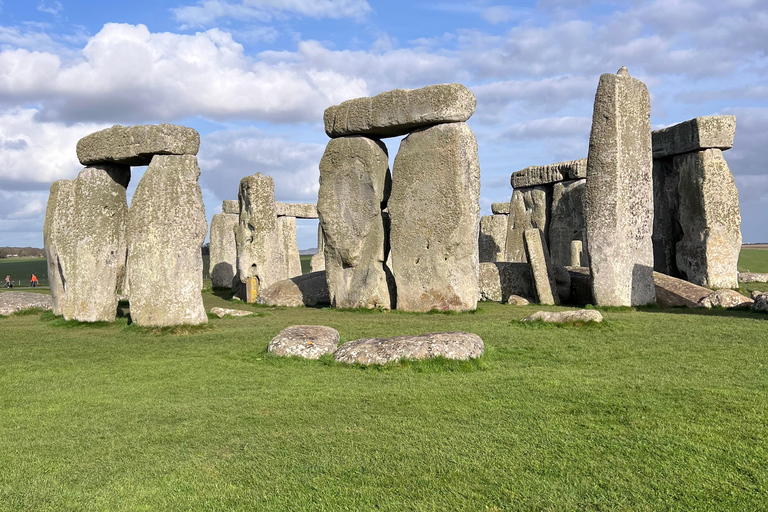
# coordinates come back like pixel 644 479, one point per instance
pixel 711 132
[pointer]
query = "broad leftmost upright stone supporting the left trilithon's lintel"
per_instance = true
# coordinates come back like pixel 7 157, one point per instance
pixel 85 242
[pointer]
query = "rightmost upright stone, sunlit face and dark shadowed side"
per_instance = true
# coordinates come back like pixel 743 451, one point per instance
pixel 710 219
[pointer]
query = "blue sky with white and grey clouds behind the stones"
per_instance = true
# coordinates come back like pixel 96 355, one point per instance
pixel 254 76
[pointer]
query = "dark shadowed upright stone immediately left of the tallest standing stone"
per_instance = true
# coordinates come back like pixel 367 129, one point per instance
pixel 567 222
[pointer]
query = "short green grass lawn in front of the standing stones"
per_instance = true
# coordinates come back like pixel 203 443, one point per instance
pixel 655 410
